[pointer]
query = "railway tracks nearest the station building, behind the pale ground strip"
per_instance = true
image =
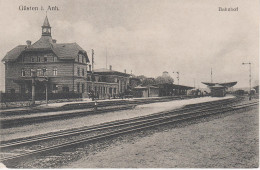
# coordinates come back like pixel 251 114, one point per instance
pixel 9 120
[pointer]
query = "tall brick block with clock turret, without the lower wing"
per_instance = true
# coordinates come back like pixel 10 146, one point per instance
pixel 63 66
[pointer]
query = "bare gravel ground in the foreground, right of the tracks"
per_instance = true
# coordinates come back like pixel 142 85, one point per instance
pixel 230 141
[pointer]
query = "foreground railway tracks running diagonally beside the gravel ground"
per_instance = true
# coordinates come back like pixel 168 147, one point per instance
pixel 110 129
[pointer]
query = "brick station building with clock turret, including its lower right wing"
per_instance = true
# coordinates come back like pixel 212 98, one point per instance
pixel 58 68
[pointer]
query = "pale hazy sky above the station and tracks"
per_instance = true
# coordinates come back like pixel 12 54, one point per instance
pixel 147 36
